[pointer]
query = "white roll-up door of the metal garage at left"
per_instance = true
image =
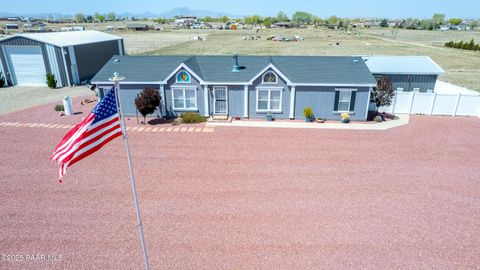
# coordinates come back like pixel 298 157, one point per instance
pixel 28 65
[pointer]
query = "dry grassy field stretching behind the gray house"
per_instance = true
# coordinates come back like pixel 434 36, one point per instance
pixel 462 67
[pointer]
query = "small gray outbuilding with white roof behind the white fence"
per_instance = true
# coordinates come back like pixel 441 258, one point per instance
pixel 407 73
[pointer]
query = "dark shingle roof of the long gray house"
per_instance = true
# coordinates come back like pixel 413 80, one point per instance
pixel 218 69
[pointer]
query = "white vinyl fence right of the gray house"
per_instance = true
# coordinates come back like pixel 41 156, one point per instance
pixel 434 104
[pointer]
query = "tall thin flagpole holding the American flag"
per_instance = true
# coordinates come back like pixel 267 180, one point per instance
pixel 117 80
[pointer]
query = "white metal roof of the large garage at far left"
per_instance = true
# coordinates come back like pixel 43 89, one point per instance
pixel 65 39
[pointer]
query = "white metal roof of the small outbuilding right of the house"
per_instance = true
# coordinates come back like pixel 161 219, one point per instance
pixel 421 65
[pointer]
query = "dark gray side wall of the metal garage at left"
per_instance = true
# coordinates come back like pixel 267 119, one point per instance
pixel 93 56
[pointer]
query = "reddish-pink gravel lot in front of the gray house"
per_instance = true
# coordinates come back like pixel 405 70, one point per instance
pixel 248 198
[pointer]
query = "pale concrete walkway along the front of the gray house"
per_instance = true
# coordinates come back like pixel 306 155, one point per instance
pixel 401 121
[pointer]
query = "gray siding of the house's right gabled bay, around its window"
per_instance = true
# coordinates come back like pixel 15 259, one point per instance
pixel 252 98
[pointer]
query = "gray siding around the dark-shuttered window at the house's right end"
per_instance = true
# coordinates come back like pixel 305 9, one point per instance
pixel 322 101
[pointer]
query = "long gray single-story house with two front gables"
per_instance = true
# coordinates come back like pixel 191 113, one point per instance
pixel 246 86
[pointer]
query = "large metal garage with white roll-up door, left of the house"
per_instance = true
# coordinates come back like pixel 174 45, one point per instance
pixel 73 57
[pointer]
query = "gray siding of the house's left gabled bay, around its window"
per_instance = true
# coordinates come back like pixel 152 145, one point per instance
pixel 171 83
